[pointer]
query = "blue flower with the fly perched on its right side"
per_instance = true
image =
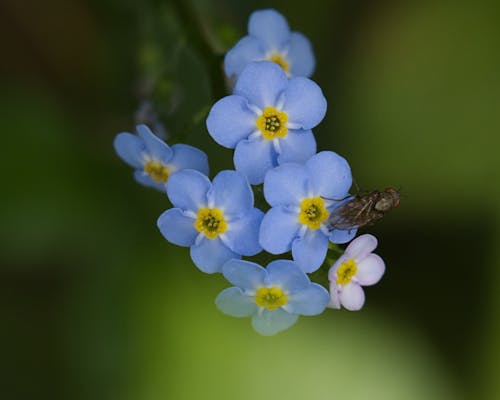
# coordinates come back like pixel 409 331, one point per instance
pixel 302 197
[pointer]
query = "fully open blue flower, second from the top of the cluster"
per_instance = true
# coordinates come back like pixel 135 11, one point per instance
pixel 268 119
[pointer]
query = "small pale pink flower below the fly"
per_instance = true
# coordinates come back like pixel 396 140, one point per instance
pixel 357 267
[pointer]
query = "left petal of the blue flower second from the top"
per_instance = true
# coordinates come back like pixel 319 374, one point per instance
pixel 230 120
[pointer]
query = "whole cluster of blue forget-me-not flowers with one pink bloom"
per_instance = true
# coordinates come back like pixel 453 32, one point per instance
pixel 268 121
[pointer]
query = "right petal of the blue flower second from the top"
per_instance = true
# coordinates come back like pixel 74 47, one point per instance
pixel 304 103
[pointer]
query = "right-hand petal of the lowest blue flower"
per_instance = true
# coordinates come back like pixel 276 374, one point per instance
pixel 309 301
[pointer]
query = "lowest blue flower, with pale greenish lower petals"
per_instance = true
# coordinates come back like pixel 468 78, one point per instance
pixel 274 296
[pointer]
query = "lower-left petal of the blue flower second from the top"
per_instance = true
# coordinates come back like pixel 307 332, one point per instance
pixel 254 158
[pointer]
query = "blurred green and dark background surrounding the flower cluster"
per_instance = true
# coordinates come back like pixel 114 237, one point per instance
pixel 95 304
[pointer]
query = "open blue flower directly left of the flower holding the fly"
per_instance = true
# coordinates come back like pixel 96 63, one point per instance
pixel 216 220
